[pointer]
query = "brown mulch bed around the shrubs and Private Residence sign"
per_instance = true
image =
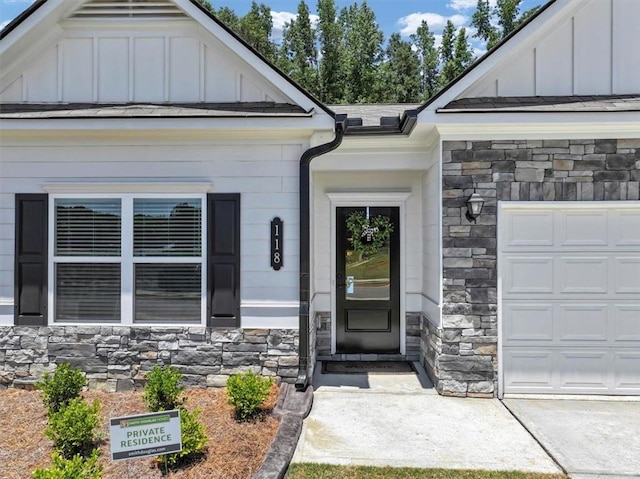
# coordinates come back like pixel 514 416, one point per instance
pixel 234 451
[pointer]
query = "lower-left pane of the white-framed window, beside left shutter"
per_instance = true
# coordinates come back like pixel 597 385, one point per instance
pixel 87 292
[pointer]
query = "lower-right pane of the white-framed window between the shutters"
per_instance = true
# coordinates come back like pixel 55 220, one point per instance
pixel 168 292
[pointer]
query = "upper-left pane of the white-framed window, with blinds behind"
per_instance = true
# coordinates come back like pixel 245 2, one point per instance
pixel 87 227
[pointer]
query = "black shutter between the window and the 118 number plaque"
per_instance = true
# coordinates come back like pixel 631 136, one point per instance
pixel 223 259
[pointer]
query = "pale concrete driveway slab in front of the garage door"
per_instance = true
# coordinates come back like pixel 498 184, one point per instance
pixel 588 438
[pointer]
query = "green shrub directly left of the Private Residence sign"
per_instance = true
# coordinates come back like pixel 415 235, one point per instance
pixel 72 428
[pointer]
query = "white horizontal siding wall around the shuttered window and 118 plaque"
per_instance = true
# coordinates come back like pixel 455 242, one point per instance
pixel 266 176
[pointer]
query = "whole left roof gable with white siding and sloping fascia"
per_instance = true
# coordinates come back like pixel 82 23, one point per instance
pixel 128 52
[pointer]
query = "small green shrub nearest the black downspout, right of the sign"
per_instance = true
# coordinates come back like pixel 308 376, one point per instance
pixel 247 392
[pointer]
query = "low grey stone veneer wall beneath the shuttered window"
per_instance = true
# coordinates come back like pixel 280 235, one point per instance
pixel 117 358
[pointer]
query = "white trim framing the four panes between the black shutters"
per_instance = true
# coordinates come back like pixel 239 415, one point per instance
pixel 126 259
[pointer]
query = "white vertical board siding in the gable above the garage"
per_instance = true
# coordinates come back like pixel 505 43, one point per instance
pixel 592 51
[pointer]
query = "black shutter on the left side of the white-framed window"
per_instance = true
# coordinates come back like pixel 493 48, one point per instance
pixel 30 275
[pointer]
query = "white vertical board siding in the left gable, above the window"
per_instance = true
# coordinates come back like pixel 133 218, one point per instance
pixel 126 65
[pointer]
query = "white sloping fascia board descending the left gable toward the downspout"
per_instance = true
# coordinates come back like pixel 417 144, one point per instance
pixel 253 58
